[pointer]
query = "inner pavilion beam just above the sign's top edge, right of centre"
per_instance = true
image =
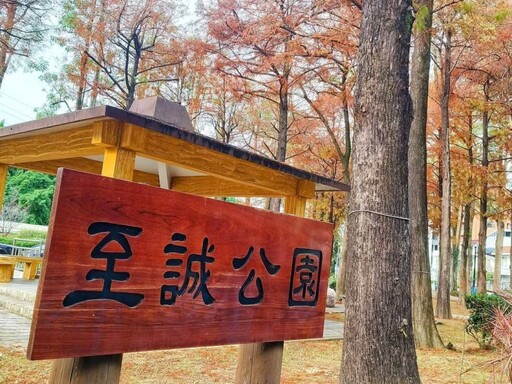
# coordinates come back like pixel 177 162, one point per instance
pixel 216 187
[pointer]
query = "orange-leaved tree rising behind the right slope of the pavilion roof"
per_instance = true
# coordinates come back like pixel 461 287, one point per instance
pixel 271 49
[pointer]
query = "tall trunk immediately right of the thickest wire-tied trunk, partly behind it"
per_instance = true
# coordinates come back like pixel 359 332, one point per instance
pixel 425 331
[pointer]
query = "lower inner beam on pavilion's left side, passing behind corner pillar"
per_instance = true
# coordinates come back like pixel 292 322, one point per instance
pixel 84 165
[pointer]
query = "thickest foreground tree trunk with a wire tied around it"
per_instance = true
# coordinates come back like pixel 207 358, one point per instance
pixel 379 344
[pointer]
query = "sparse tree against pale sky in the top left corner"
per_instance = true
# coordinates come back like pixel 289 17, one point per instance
pixel 22 29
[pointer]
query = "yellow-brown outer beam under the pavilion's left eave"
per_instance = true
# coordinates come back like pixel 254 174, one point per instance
pixel 50 146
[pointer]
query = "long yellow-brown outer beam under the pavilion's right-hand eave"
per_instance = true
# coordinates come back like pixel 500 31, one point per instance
pixel 171 150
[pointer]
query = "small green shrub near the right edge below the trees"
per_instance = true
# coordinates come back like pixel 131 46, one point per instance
pixel 482 308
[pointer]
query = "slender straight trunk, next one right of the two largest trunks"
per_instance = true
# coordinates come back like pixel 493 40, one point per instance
pixel 443 290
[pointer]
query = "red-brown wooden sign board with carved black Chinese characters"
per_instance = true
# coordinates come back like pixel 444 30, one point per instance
pixel 129 267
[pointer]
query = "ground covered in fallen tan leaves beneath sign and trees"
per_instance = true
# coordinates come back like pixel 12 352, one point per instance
pixel 312 362
